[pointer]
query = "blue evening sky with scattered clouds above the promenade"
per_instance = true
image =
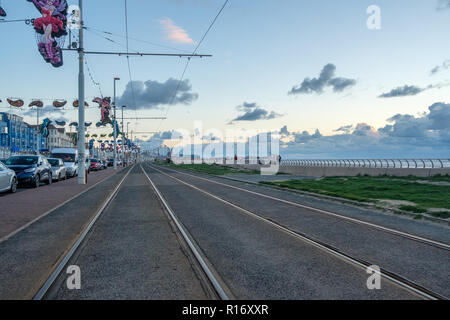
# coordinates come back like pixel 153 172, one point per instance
pixel 312 69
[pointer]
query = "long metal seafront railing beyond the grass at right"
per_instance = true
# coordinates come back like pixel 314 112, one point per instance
pixel 372 163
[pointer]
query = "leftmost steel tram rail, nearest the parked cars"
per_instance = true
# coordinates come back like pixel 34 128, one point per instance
pixel 43 291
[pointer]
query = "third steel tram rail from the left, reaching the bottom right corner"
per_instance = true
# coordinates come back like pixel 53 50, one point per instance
pixel 397 279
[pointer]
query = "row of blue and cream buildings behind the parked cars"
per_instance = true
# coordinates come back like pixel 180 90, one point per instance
pixel 19 137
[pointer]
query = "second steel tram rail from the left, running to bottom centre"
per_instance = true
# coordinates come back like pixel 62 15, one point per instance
pixel 210 275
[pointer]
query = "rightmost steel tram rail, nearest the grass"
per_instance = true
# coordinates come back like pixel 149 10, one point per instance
pixel 409 236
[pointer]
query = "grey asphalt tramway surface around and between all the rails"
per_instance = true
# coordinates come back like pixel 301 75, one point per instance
pixel 135 252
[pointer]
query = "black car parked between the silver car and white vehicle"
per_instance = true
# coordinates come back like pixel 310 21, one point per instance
pixel 31 170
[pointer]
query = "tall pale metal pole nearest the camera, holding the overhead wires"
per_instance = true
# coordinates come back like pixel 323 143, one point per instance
pixel 81 137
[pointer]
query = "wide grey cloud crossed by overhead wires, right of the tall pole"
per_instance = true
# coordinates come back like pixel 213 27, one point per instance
pixel 150 94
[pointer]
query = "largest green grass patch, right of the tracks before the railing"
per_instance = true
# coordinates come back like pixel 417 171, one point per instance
pixel 372 189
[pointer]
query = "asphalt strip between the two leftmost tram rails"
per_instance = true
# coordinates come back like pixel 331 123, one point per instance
pixel 133 253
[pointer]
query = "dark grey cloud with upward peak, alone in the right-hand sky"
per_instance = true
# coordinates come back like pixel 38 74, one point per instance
pixel 326 79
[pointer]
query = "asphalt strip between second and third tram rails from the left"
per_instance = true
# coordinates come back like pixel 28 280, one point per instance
pixel 258 261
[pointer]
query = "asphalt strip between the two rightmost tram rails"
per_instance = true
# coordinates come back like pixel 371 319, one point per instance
pixel 426 265
